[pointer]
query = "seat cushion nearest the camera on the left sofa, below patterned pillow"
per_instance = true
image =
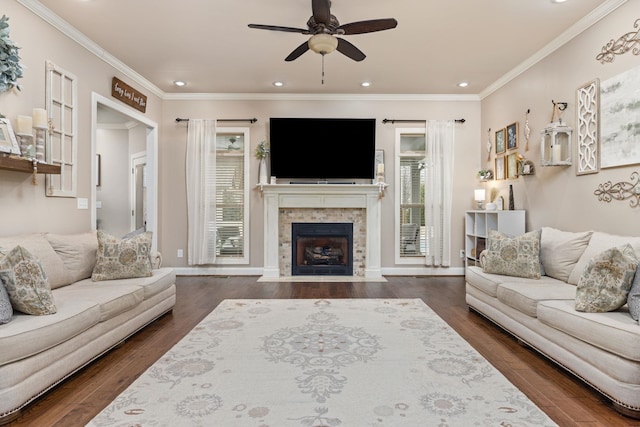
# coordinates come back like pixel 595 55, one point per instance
pixel 27 335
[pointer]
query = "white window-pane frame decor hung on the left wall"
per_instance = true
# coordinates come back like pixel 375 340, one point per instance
pixel 61 150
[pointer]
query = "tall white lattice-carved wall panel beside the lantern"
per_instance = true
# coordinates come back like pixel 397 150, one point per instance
pixel 587 127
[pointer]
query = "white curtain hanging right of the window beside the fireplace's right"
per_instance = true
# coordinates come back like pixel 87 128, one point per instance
pixel 438 192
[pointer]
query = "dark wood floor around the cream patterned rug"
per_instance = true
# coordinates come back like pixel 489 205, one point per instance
pixel 564 398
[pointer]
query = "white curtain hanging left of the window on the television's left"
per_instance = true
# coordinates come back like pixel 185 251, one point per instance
pixel 200 170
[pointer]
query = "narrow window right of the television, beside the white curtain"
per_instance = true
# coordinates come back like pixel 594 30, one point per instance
pixel 410 175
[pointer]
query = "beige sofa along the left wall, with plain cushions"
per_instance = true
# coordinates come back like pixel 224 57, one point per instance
pixel 39 351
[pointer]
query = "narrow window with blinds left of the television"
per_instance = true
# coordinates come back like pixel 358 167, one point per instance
pixel 231 196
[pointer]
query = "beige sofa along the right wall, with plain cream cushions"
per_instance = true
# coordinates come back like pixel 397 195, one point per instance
pixel 603 349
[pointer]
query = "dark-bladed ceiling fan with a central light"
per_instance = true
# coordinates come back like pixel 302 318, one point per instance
pixel 324 27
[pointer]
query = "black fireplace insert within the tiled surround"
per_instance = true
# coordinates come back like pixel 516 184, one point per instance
pixel 321 249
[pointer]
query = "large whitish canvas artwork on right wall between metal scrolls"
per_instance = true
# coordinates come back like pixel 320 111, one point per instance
pixel 619 110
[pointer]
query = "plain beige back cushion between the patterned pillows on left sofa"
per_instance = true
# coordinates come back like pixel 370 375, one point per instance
pixel 77 252
